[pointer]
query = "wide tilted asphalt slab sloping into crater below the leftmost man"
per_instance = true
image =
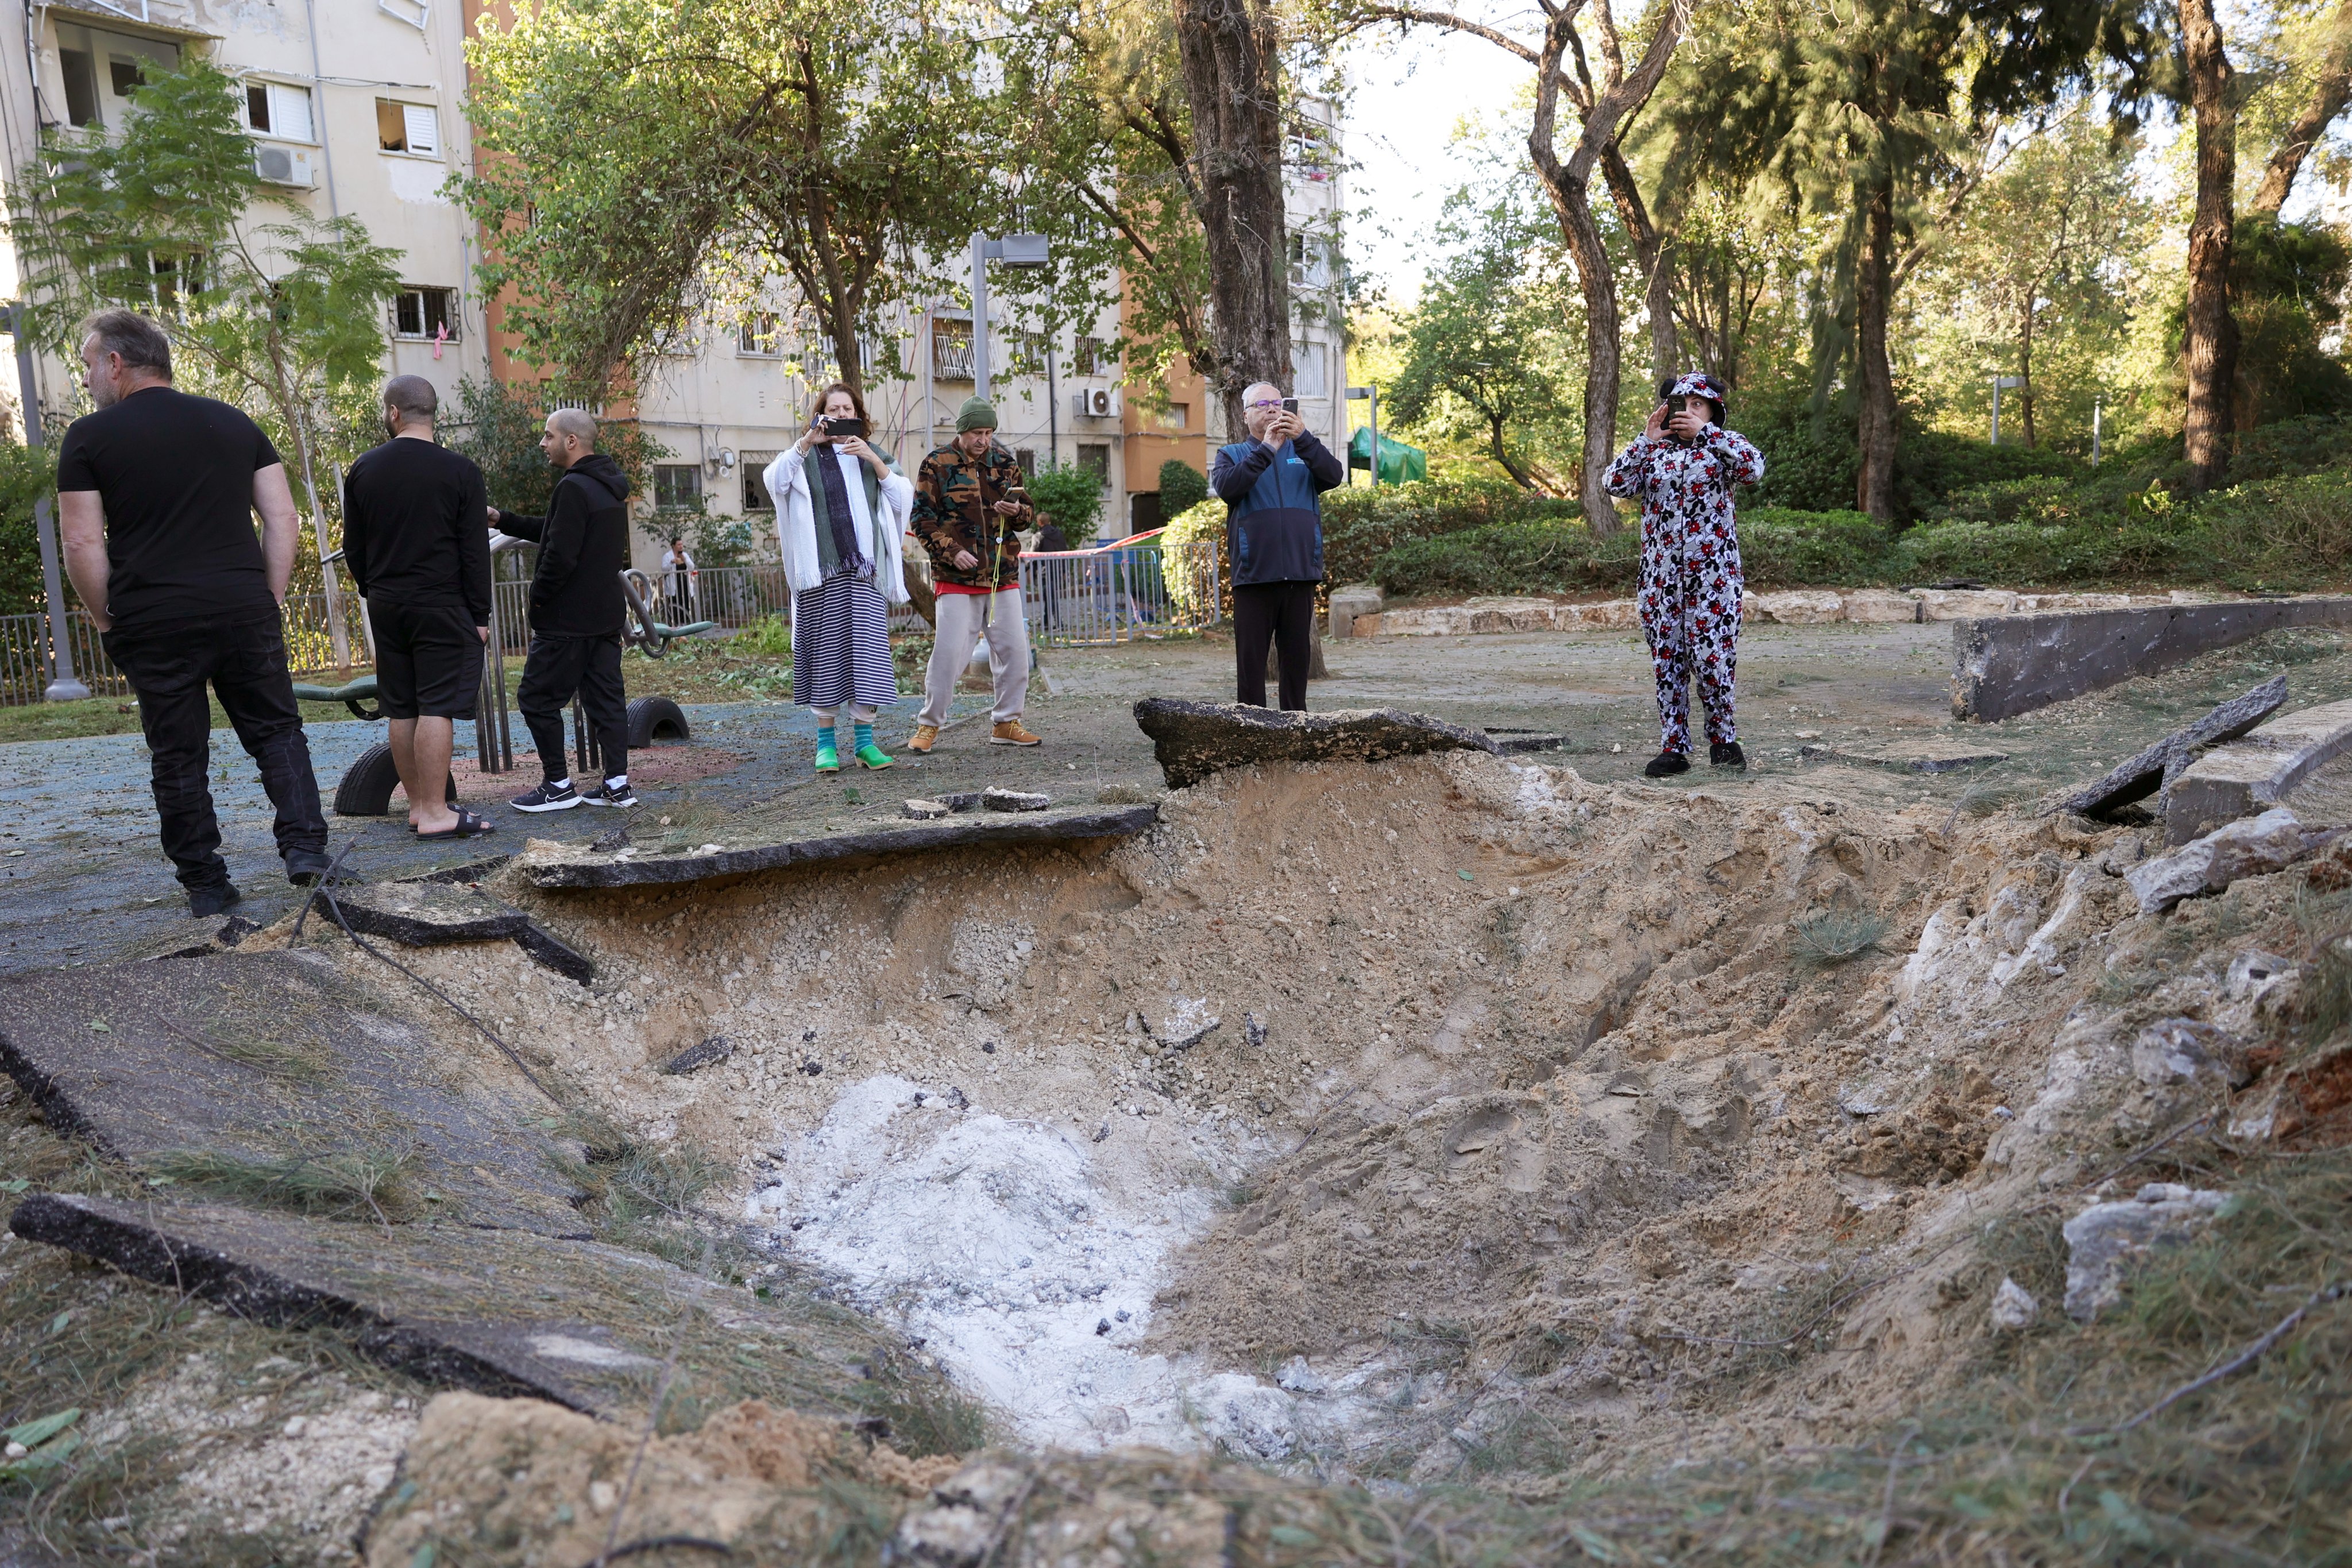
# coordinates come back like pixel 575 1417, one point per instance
pixel 279 1057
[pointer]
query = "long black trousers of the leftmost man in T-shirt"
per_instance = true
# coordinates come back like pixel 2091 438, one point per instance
pixel 246 664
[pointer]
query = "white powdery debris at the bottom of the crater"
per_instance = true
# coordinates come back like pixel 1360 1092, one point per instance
pixel 1001 1245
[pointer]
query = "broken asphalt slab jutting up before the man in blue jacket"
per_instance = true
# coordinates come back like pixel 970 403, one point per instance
pixel 1201 739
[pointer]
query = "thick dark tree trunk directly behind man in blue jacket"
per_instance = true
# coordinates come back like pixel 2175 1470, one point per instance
pixel 1234 86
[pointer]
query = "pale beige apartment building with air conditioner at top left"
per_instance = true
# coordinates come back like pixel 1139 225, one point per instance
pixel 356 107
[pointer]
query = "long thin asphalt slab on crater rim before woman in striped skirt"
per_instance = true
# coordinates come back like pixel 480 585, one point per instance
pixel 563 866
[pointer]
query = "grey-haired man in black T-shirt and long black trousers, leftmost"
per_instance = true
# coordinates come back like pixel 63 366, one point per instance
pixel 156 492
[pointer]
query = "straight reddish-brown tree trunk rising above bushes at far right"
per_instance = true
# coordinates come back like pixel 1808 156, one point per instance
pixel 2210 349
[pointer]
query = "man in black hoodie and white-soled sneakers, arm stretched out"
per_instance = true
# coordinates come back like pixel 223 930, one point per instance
pixel 577 615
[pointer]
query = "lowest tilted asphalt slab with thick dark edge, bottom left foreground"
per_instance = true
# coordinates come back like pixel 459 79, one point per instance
pixel 500 1313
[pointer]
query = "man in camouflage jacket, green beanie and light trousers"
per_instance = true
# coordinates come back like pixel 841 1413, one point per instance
pixel 970 504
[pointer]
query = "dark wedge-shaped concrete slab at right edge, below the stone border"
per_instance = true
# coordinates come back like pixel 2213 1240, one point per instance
pixel 2005 666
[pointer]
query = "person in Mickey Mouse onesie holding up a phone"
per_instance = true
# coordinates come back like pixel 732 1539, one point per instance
pixel 1683 469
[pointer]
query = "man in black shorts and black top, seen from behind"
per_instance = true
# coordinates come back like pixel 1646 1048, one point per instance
pixel 417 542
